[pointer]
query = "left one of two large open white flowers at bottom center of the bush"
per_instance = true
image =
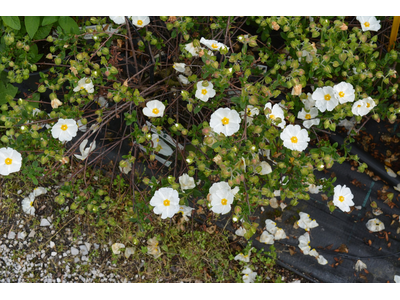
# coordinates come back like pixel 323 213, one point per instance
pixel 165 202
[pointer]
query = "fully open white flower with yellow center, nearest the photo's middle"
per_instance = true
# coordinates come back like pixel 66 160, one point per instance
pixel 226 121
